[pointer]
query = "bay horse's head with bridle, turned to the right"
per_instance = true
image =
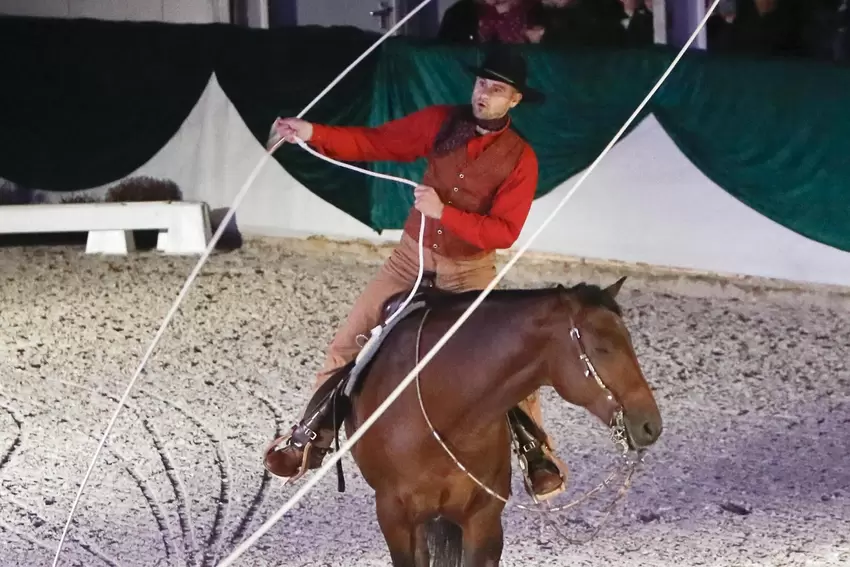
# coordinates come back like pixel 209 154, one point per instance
pixel 593 364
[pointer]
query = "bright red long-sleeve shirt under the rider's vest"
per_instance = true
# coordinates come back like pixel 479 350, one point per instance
pixel 412 137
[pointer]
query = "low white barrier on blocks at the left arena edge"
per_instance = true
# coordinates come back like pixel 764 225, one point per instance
pixel 184 227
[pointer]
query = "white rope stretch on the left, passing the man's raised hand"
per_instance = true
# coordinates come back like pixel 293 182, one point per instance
pixel 210 247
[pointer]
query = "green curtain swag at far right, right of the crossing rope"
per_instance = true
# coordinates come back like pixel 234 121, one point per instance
pixel 774 134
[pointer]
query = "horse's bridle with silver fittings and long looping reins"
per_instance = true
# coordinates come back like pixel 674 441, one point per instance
pixel 618 434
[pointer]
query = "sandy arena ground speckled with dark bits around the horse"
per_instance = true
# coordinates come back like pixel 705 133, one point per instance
pixel 754 385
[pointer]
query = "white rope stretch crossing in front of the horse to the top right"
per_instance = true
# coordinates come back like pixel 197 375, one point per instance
pixel 346 447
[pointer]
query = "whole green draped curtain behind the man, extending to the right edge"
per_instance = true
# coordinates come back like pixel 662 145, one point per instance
pixel 772 133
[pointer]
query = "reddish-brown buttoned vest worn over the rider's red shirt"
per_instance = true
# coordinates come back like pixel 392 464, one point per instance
pixel 467 185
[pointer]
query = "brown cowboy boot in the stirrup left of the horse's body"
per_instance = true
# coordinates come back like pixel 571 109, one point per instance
pixel 305 447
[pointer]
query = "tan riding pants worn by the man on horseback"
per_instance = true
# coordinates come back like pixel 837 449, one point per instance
pixel 398 274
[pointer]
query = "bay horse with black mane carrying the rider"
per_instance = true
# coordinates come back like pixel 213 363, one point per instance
pixel 514 343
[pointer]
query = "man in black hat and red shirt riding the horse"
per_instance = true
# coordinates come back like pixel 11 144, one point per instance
pixel 476 193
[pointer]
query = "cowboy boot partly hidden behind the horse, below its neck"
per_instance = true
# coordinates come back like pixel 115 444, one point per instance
pixel 543 477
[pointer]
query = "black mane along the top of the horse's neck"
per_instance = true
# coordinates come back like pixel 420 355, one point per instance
pixel 589 295
